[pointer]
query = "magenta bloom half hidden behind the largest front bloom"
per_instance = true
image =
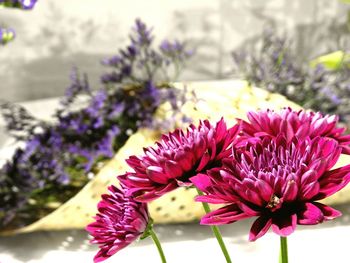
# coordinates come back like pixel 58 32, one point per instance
pixel 288 123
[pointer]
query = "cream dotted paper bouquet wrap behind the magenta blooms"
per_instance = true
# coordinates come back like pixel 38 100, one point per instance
pixel 230 99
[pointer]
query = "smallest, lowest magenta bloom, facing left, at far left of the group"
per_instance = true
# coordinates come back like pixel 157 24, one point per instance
pixel 120 221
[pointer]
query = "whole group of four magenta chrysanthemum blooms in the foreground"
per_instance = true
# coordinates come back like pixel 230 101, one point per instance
pixel 274 166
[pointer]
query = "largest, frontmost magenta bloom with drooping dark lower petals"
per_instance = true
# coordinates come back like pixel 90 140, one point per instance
pixel 278 182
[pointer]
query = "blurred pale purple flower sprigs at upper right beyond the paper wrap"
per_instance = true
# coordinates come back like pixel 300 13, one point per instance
pixel 272 64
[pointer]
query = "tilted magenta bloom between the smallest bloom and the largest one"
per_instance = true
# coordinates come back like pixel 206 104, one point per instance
pixel 176 158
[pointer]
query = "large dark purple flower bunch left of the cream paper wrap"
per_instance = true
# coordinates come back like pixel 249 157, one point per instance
pixel 88 127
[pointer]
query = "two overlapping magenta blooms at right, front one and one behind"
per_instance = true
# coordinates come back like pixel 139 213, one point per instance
pixel 278 171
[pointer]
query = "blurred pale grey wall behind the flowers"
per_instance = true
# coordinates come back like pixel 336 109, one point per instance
pixel 56 35
